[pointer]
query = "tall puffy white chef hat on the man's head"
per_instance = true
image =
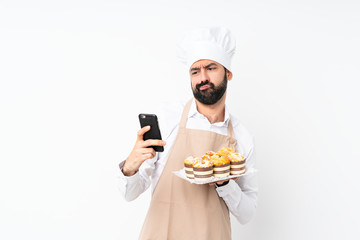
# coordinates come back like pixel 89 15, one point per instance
pixel 213 43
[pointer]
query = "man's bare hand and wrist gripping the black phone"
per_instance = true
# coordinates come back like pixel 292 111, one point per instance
pixel 140 152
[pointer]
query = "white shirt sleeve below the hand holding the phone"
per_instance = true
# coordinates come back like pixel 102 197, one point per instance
pixel 132 186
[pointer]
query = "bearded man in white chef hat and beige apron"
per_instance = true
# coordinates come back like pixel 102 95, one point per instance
pixel 178 209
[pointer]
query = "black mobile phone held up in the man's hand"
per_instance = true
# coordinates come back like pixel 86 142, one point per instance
pixel 154 132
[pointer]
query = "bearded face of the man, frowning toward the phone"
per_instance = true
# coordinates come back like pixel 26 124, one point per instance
pixel 208 81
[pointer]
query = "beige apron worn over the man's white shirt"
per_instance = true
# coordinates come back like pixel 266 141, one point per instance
pixel 179 210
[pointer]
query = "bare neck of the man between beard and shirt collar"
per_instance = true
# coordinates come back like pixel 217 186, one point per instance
pixel 214 113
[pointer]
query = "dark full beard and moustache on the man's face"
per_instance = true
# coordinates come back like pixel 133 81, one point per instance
pixel 212 94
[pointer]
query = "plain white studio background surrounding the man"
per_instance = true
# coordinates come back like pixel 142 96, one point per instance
pixel 75 74
